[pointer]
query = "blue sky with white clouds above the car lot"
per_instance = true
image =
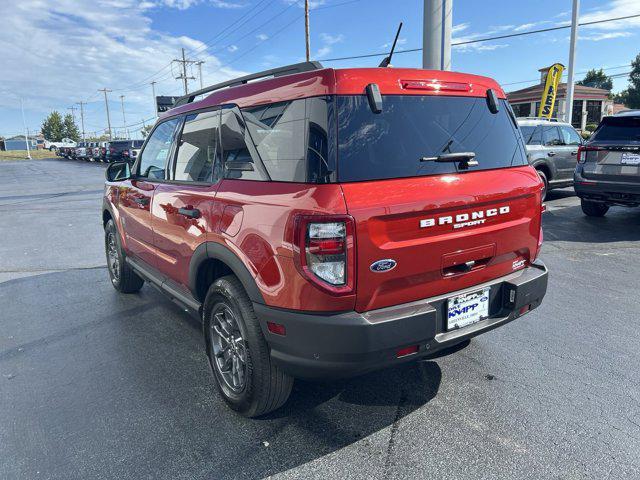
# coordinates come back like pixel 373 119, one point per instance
pixel 58 53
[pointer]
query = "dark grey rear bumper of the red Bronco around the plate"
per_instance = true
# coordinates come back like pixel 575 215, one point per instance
pixel 347 344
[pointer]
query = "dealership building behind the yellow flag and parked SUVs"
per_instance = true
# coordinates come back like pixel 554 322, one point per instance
pixel 589 104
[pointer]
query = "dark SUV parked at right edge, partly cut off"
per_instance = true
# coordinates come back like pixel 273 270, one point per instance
pixel 608 169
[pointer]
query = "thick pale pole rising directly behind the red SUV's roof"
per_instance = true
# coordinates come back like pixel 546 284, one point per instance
pixel 436 34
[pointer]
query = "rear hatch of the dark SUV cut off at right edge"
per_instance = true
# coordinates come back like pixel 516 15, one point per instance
pixel 613 153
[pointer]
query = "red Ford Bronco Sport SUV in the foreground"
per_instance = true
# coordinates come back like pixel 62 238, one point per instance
pixel 325 223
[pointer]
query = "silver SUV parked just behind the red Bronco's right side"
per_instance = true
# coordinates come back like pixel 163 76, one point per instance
pixel 552 149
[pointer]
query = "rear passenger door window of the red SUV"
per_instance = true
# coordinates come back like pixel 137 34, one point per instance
pixel 199 149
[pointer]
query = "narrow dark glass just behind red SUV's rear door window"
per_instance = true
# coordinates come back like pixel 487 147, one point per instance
pixel 239 161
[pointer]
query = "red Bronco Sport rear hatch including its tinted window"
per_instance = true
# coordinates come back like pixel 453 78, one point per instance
pixel 447 226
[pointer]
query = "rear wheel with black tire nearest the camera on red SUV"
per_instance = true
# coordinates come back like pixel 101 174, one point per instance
pixel 264 387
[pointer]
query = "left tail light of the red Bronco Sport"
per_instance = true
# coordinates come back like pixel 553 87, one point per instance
pixel 326 251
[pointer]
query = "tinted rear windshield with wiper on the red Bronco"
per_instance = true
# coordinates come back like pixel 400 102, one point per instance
pixel 390 144
